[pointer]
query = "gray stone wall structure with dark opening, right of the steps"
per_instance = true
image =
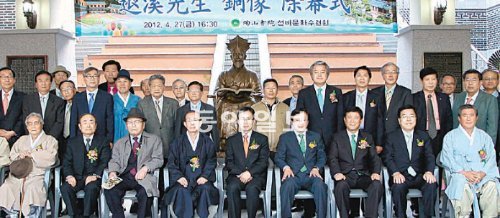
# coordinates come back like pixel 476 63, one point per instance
pixel 415 40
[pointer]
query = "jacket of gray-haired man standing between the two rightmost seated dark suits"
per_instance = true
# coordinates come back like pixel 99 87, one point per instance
pixel 400 97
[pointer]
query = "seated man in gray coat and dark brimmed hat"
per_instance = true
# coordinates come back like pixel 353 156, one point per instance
pixel 134 159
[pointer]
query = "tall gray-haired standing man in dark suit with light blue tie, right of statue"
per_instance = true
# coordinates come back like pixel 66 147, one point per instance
pixel 323 102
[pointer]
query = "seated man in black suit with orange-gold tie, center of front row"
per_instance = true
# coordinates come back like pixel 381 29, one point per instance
pixel 247 154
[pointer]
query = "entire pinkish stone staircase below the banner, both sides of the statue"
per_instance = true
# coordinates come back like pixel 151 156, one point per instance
pixel 190 57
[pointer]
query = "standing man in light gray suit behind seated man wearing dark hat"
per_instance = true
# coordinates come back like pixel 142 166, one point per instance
pixel 160 112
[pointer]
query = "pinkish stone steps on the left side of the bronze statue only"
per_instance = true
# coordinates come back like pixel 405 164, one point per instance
pixel 187 57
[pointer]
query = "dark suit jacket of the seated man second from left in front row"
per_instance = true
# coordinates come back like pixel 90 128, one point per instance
pixel 75 156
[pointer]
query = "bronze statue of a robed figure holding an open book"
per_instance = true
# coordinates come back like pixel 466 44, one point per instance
pixel 236 88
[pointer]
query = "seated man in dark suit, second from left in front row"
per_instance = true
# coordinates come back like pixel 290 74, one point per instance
pixel 83 164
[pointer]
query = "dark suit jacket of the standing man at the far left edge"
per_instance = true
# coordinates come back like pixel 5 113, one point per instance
pixel 13 120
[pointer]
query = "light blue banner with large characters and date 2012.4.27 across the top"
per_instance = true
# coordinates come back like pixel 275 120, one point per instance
pixel 160 17
